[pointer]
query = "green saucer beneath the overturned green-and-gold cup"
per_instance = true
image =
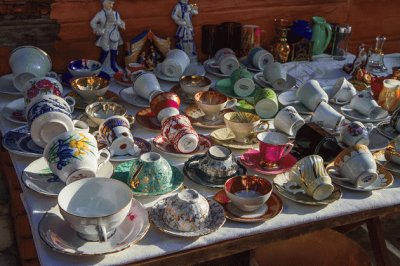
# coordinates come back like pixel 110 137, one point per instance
pixel 123 173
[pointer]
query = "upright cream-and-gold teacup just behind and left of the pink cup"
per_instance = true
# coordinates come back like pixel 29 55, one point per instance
pixel 244 125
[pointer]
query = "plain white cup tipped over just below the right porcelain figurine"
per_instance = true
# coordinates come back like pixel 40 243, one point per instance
pixel 175 63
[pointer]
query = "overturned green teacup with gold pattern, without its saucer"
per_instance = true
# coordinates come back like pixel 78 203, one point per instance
pixel 151 173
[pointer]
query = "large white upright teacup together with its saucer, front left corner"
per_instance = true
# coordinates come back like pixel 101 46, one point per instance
pixel 107 221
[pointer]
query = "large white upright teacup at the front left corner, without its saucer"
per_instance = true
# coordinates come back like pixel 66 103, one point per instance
pixel 95 207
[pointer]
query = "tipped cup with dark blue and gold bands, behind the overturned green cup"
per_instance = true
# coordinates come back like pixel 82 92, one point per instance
pixel 116 132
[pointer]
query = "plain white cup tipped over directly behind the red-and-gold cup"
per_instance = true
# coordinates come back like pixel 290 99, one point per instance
pixel 146 85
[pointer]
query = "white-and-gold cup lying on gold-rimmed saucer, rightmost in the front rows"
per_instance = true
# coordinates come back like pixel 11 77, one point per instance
pixel 355 168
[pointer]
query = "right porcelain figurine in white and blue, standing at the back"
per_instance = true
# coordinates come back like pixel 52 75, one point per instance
pixel 182 15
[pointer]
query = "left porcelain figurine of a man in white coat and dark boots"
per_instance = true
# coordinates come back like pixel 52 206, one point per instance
pixel 106 25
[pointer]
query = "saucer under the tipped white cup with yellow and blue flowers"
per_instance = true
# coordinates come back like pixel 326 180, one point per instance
pixel 38 177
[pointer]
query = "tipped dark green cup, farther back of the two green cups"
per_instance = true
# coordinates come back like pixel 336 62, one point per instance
pixel 243 84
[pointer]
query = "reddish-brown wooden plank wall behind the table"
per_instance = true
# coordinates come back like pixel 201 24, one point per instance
pixel 369 18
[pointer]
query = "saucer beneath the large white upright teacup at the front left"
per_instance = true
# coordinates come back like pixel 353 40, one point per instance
pixel 59 236
